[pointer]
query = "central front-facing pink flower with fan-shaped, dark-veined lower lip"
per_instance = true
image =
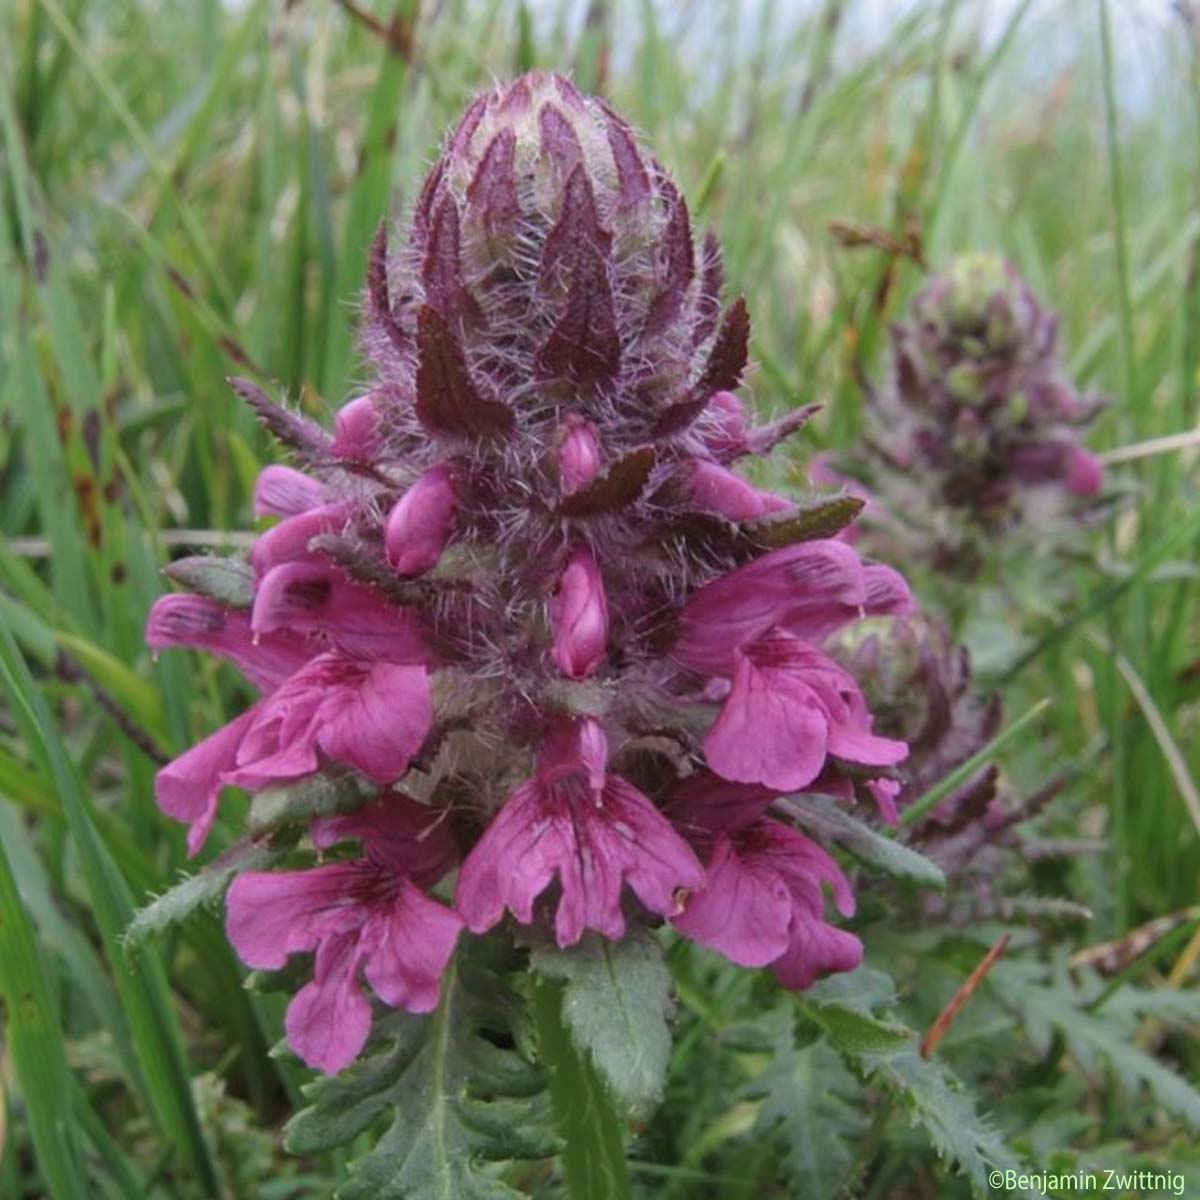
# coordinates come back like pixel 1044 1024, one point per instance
pixel 592 831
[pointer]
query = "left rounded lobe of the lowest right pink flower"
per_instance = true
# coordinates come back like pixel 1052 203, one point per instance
pixel 743 911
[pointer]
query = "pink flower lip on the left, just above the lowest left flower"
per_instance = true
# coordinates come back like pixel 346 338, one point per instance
pixel 369 716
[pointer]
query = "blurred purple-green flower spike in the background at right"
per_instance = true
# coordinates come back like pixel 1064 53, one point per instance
pixel 977 428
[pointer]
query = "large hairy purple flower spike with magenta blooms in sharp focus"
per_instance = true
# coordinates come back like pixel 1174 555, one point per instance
pixel 523 596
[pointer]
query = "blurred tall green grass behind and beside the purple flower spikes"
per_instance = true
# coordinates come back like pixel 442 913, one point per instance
pixel 188 193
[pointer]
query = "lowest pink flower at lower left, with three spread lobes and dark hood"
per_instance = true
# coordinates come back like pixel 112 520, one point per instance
pixel 368 915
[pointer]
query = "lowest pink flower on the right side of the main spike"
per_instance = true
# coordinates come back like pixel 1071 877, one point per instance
pixel 764 905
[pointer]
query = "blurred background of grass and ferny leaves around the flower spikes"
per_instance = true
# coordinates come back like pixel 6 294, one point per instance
pixel 189 193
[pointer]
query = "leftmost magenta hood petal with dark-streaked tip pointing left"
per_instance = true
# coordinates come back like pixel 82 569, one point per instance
pixel 202 623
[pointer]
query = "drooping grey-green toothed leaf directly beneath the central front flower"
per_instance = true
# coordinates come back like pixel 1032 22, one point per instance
pixel 616 1006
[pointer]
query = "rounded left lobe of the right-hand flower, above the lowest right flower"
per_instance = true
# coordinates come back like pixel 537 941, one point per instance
pixel 771 731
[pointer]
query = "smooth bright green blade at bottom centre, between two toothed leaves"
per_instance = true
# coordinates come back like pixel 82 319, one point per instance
pixel 593 1157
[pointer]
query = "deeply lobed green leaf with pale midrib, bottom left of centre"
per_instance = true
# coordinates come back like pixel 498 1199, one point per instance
pixel 461 1105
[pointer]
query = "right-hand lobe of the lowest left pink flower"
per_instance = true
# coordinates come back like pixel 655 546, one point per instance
pixel 410 946
